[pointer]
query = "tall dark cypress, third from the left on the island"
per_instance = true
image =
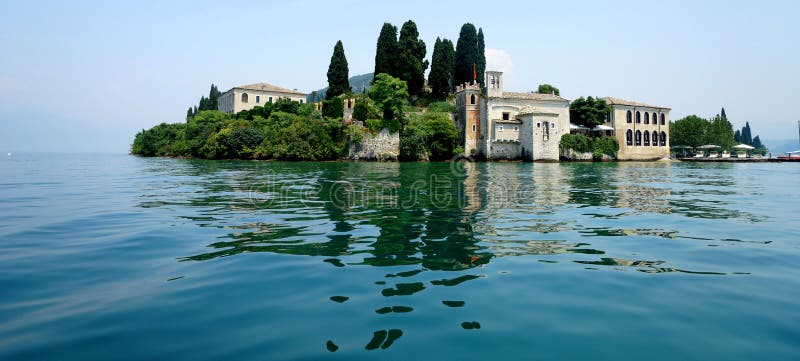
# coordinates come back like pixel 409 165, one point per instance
pixel 411 63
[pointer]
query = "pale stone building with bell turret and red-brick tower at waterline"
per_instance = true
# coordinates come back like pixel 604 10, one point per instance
pixel 508 125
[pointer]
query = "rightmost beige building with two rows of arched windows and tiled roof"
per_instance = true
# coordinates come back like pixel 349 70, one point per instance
pixel 641 130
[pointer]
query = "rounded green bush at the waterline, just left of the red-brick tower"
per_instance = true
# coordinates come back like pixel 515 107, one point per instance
pixel 431 135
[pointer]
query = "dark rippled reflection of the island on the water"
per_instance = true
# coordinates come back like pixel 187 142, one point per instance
pixel 447 218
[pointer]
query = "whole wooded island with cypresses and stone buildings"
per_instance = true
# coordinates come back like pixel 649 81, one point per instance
pixel 460 111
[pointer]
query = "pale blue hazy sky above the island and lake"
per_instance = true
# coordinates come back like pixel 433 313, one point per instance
pixel 81 76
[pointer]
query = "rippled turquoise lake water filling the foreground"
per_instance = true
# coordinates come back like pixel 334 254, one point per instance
pixel 125 258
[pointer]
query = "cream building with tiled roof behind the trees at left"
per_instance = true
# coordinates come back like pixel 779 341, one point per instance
pixel 246 97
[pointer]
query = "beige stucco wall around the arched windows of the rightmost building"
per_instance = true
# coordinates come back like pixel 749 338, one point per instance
pixel 618 121
